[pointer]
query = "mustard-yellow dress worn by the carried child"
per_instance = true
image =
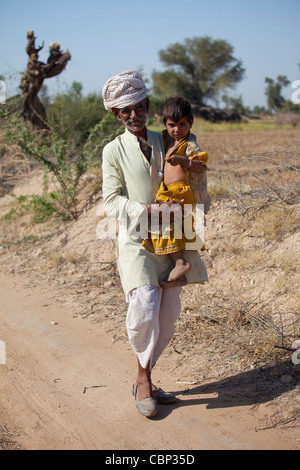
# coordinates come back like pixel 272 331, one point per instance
pixel 170 238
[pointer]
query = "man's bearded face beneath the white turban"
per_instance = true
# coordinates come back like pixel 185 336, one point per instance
pixel 133 117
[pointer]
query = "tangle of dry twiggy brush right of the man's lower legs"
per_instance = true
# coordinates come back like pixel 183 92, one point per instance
pixel 241 331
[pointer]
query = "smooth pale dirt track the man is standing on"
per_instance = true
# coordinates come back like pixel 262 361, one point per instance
pixel 65 385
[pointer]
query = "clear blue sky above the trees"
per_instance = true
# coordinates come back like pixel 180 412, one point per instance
pixel 106 37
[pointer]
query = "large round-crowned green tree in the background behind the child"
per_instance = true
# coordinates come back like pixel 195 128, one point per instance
pixel 199 69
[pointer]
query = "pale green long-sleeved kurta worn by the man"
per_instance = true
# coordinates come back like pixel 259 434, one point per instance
pixel 129 180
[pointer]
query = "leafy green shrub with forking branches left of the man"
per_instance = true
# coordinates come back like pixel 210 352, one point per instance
pixel 59 161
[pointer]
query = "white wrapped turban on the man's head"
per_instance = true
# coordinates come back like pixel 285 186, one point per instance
pixel 125 89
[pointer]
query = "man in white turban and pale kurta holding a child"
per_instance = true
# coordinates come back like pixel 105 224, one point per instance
pixel 132 172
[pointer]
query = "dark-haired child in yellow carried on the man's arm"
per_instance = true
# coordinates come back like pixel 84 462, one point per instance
pixel 184 181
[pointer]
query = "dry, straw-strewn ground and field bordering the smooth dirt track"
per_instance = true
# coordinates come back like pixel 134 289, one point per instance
pixel 235 334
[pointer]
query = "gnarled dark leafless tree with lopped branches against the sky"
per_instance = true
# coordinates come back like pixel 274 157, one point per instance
pixel 32 79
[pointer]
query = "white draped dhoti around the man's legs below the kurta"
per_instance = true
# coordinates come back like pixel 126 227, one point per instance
pixel 150 320
